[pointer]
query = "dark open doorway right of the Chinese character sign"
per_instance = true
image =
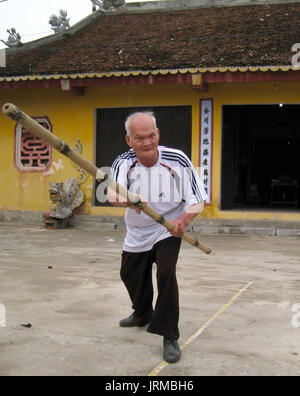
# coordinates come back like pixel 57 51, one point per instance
pixel 260 156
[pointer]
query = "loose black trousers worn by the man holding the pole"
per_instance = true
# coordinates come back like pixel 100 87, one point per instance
pixel 136 273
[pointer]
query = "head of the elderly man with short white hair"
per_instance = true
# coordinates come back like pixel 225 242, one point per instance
pixel 144 140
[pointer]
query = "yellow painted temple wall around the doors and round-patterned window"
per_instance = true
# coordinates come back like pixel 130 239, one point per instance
pixel 74 117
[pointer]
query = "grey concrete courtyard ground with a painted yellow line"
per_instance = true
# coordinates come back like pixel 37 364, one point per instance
pixel 63 299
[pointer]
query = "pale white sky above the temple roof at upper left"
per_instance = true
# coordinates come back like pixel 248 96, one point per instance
pixel 31 17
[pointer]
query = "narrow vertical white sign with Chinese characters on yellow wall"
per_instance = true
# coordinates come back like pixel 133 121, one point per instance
pixel 206 144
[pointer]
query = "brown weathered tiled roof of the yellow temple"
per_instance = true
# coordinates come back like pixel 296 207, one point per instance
pixel 219 37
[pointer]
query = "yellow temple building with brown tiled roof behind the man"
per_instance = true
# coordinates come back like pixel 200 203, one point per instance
pixel 222 77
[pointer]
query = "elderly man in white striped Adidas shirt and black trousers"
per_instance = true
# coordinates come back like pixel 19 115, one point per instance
pixel 166 180
